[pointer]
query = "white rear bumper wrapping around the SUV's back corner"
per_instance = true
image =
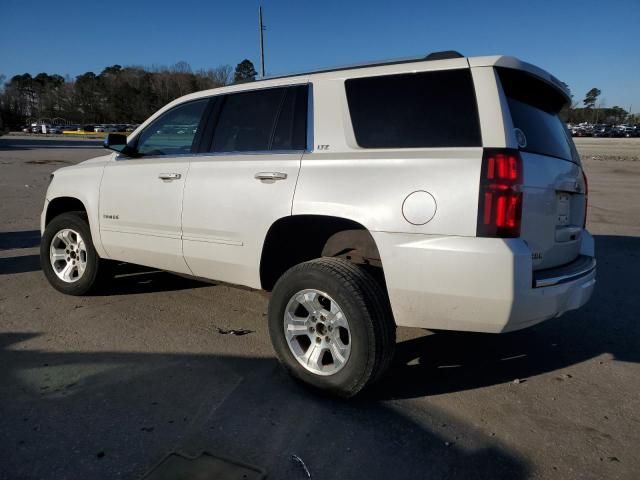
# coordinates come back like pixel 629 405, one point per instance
pixel 478 284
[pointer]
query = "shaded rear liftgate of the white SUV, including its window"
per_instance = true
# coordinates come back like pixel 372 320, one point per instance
pixel 554 187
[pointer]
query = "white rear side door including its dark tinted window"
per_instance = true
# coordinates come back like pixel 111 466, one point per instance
pixel 246 181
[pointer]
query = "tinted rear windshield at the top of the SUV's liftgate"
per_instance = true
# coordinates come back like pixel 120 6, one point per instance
pixel 534 107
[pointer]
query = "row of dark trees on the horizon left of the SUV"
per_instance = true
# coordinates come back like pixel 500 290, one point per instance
pixel 116 95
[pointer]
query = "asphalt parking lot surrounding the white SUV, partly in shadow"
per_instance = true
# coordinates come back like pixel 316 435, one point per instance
pixel 106 386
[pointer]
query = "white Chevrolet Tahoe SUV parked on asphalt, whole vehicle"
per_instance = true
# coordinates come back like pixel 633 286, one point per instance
pixel 441 193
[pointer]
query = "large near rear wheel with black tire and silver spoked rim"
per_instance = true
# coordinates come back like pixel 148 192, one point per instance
pixel 331 325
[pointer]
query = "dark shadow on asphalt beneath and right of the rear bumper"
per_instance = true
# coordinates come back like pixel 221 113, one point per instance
pixel 451 361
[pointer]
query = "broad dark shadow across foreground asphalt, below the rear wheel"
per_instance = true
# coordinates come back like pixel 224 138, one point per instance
pixel 105 415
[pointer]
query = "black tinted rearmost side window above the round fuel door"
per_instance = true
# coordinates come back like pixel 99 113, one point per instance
pixel 416 110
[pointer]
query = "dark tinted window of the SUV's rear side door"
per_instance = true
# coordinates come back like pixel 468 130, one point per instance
pixel 260 120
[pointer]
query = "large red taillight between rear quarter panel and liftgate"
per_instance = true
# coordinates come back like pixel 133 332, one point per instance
pixel 500 202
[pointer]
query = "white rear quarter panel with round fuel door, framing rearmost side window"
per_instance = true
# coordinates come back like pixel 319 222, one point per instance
pixel 370 186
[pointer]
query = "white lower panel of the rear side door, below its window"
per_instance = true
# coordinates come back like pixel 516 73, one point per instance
pixel 227 212
